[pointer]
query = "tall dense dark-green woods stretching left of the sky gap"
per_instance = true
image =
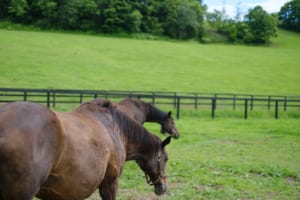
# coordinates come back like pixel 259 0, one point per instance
pixel 115 16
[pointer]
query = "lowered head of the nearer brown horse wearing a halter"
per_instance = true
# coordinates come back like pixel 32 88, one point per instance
pixel 154 168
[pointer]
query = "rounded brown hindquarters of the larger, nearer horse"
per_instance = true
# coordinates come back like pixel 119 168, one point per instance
pixel 30 136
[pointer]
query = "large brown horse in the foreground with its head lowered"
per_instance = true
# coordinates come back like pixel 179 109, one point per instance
pixel 67 156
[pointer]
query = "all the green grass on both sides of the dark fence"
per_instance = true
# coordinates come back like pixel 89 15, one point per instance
pixel 224 158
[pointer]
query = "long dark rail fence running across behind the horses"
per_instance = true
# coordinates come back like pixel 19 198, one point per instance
pixel 178 101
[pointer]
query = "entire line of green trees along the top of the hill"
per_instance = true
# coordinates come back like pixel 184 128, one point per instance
pixel 178 19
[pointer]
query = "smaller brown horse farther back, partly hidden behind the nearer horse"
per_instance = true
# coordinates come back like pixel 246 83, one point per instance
pixel 146 112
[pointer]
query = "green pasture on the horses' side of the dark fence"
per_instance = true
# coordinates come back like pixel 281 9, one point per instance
pixel 227 159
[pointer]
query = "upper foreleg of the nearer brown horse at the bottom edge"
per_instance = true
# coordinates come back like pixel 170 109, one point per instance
pixel 108 190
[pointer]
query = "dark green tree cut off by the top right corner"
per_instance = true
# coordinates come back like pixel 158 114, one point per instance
pixel 289 15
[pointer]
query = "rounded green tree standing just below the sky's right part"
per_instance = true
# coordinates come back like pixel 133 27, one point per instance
pixel 262 26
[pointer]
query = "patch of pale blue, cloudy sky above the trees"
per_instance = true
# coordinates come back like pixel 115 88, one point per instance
pixel 244 5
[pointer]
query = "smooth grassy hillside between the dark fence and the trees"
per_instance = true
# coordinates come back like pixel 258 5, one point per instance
pixel 74 61
